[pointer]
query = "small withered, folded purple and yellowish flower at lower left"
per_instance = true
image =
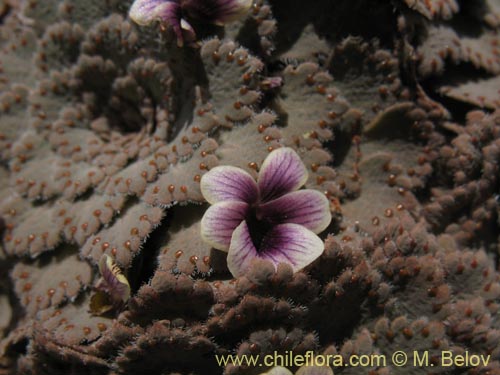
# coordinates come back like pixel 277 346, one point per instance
pixel 113 288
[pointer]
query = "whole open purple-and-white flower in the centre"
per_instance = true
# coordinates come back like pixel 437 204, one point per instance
pixel 268 219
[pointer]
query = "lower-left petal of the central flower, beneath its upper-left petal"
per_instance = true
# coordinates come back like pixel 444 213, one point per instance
pixel 220 221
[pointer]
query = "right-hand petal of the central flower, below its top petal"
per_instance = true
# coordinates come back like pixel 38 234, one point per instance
pixel 309 208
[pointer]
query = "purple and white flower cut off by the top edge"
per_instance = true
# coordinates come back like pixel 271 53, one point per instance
pixel 176 14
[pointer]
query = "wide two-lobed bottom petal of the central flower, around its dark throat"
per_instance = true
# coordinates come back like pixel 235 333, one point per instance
pixel 284 243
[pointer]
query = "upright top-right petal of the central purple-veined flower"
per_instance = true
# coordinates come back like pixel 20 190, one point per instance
pixel 281 173
